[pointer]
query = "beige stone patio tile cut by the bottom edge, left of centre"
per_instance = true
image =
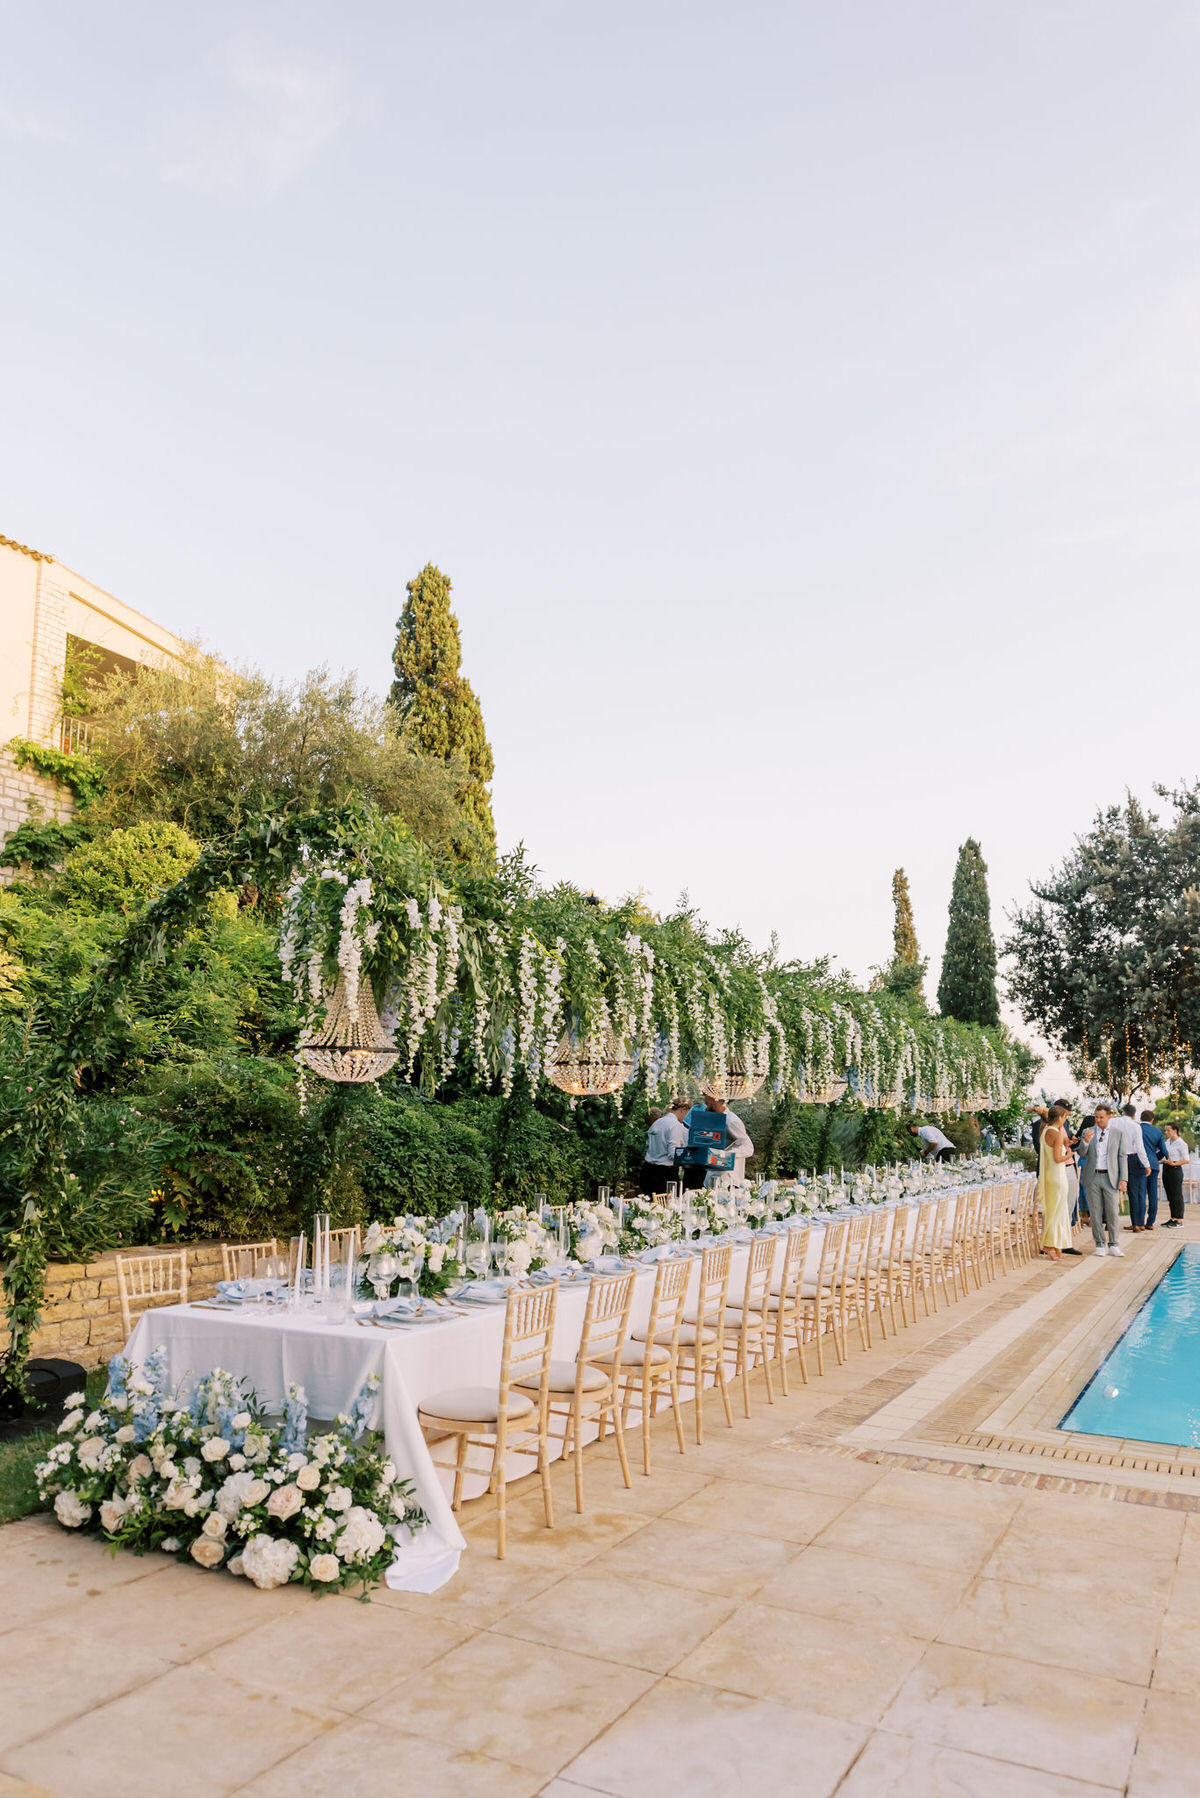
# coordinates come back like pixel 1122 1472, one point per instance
pixel 363 1759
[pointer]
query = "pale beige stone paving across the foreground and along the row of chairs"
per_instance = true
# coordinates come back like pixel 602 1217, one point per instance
pixel 764 1616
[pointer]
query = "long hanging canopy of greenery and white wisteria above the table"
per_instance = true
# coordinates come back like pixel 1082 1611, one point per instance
pixel 494 977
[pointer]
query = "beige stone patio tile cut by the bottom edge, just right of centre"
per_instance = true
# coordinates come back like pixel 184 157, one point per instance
pixel 686 1741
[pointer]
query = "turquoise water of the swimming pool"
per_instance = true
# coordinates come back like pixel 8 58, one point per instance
pixel 1149 1385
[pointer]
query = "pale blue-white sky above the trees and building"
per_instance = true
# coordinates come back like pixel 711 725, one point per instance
pixel 801 398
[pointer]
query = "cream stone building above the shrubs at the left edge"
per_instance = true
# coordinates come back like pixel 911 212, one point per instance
pixel 42 607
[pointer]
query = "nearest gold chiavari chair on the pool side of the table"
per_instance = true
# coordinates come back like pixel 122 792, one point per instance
pixel 508 1418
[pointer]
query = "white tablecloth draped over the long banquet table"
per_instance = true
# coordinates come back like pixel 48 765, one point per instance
pixel 273 1349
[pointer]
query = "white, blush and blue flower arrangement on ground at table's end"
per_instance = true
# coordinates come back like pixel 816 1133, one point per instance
pixel 208 1481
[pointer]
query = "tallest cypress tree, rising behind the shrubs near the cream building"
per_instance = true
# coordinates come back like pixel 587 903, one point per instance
pixel 436 706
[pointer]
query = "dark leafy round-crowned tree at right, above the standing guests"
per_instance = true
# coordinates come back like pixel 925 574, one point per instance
pixel 1106 957
